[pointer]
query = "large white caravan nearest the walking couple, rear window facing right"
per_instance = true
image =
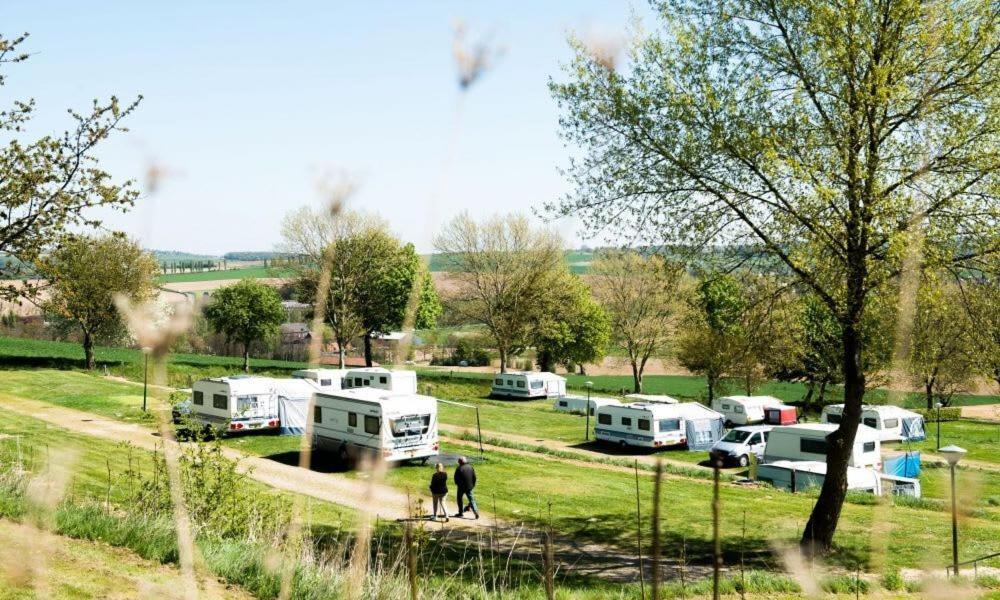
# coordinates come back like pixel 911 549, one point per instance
pixel 392 425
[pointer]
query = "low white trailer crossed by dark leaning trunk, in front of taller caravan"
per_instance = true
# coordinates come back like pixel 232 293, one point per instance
pixel 796 476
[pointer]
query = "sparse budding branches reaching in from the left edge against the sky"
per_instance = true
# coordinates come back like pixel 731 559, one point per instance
pixel 51 184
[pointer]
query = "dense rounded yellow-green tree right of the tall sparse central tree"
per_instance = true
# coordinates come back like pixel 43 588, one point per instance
pixel 571 328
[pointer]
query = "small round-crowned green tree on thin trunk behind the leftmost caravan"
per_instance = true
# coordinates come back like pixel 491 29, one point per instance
pixel 246 312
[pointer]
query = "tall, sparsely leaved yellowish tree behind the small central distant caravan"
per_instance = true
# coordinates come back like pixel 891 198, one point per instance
pixel 503 271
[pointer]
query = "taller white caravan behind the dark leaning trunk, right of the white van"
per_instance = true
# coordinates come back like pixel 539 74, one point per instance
pixel 807 442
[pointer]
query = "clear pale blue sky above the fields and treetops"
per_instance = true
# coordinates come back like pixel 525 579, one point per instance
pixel 251 109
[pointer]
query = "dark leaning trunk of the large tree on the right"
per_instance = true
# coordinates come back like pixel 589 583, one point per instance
pixel 822 524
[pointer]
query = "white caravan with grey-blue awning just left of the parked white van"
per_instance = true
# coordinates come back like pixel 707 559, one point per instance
pixel 652 425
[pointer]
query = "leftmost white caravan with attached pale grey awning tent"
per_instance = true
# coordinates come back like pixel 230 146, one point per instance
pixel 242 403
